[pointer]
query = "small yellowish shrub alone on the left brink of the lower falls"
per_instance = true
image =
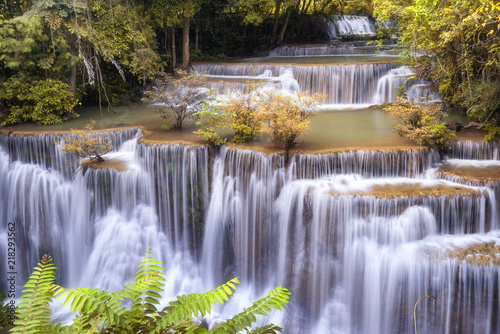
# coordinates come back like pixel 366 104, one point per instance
pixel 87 145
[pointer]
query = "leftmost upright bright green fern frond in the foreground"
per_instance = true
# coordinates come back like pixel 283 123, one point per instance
pixel 33 313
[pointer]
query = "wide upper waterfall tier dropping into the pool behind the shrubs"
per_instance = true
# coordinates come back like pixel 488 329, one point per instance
pixel 342 84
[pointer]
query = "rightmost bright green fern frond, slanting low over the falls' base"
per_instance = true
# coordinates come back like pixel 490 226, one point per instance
pixel 276 299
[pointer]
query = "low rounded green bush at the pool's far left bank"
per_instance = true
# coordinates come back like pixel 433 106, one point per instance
pixel 46 102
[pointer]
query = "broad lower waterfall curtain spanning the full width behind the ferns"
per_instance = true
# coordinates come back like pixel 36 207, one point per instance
pixel 358 237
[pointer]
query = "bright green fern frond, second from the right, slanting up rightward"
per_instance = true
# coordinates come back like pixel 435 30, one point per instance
pixel 188 306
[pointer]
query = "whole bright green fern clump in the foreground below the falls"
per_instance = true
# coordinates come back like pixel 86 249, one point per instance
pixel 101 311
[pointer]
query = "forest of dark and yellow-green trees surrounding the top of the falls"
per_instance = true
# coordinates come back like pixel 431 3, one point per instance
pixel 57 54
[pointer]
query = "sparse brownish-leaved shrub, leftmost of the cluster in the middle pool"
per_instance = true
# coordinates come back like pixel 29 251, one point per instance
pixel 179 96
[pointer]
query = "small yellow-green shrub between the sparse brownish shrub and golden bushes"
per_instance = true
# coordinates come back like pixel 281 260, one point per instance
pixel 212 119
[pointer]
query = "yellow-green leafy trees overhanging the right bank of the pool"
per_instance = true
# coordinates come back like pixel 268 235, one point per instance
pixel 463 45
